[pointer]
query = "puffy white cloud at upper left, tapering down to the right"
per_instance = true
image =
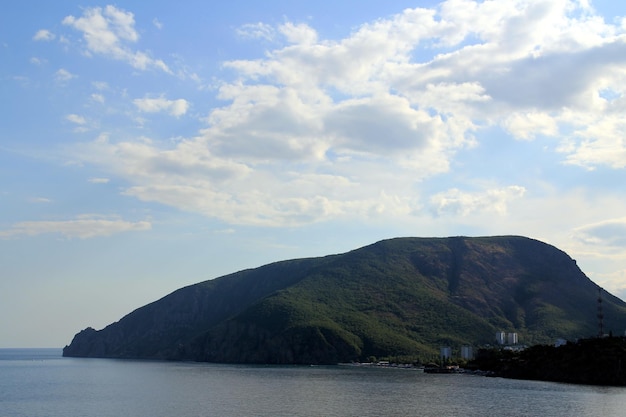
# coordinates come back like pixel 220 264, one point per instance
pixel 110 32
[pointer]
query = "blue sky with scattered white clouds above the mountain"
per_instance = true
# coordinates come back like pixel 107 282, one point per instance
pixel 146 146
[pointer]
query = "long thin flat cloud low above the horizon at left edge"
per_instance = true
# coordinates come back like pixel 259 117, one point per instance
pixel 83 227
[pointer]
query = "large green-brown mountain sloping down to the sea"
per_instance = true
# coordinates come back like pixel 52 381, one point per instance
pixel 401 298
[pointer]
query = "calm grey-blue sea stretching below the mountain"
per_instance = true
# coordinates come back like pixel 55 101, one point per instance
pixel 40 382
